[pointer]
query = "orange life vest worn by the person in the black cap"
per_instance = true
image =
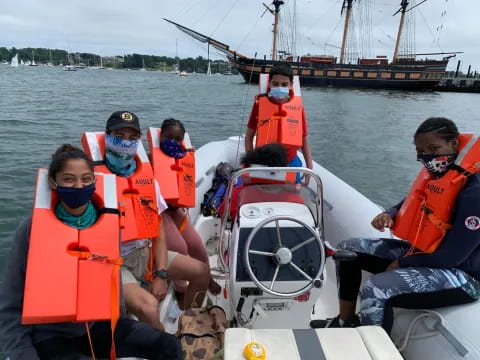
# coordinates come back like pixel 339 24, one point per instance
pixel 136 194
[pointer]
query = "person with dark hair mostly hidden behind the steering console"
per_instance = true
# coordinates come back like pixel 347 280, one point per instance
pixel 271 155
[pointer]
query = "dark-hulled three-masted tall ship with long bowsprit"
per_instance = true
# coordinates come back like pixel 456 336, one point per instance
pixel 404 71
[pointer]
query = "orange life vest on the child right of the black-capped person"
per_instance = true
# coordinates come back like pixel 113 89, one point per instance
pixel 175 176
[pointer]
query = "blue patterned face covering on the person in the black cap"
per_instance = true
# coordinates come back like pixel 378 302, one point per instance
pixel 120 155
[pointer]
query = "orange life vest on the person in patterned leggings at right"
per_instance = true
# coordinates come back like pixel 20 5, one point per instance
pixel 424 216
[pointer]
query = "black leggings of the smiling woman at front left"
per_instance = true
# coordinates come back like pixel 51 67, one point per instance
pixel 132 339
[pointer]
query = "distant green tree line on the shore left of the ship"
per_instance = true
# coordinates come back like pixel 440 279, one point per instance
pixel 130 61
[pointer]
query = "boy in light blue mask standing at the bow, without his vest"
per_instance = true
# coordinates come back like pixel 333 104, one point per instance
pixel 280 87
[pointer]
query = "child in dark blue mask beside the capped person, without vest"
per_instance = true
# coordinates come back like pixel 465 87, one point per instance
pixel 181 235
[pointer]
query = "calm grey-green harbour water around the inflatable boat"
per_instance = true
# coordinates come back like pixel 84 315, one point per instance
pixel 364 137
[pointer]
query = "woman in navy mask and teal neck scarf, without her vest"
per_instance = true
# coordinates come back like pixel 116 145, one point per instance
pixel 71 177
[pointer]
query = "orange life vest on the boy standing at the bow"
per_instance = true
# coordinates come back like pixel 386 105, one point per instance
pixel 279 123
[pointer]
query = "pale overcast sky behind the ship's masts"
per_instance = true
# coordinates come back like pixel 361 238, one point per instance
pixel 109 27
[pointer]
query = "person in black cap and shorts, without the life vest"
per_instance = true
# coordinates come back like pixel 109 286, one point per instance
pixel 141 298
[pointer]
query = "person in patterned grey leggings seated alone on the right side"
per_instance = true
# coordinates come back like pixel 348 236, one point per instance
pixel 439 265
